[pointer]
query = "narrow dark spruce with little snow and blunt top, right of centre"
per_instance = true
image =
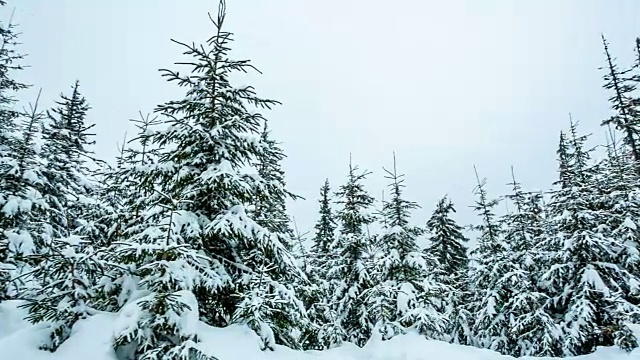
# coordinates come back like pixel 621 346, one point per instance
pixel 447 246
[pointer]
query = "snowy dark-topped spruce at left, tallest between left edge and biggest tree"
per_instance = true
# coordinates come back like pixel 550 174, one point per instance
pixel 66 265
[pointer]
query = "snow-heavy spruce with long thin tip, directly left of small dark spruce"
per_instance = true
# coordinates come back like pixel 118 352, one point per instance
pixel 404 295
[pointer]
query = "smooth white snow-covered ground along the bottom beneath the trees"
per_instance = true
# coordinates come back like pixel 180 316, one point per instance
pixel 91 339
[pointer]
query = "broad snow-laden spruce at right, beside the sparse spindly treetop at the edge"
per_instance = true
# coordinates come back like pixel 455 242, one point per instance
pixel 582 275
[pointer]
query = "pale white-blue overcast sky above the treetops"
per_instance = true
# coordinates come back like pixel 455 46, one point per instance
pixel 446 84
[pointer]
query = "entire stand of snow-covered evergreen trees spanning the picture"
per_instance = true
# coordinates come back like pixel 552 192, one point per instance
pixel 189 223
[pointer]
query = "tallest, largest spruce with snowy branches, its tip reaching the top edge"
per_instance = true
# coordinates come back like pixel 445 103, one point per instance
pixel 207 154
